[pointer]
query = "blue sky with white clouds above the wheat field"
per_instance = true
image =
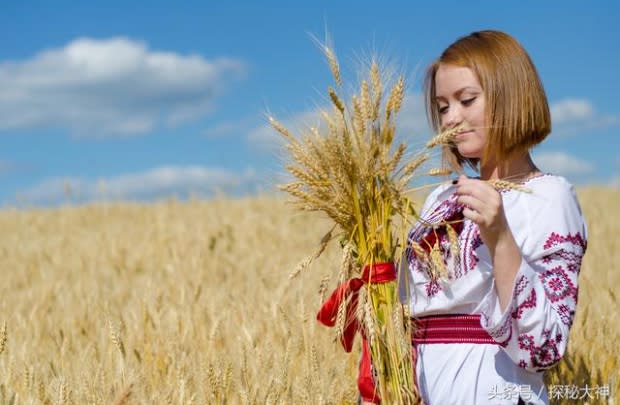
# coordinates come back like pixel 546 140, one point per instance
pixel 143 100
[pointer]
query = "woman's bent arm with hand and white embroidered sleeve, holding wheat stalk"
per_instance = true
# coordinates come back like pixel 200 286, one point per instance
pixel 532 308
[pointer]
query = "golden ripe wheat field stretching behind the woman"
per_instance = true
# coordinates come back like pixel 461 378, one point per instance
pixel 190 303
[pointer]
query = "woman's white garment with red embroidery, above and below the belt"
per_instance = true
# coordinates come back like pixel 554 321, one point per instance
pixel 532 331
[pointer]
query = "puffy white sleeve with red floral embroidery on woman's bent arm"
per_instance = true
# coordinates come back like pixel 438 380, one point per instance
pixel 533 329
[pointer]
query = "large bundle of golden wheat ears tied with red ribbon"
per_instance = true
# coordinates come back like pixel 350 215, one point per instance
pixel 351 169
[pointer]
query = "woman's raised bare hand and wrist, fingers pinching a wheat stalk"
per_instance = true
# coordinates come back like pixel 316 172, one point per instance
pixel 483 206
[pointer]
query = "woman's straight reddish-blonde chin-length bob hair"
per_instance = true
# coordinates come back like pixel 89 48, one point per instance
pixel 517 111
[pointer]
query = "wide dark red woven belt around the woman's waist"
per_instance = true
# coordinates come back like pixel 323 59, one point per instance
pixel 450 329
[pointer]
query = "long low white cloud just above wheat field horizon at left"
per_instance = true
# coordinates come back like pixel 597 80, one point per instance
pixel 155 183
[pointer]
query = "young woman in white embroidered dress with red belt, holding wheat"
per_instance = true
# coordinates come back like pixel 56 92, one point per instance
pixel 500 315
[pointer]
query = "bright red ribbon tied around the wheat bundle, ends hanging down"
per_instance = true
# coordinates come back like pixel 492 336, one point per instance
pixel 377 273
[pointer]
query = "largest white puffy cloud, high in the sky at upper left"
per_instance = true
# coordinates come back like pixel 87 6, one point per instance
pixel 112 86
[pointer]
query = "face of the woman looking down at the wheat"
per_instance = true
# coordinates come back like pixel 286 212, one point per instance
pixel 460 100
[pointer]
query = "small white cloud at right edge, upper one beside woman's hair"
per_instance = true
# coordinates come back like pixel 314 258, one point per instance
pixel 573 116
